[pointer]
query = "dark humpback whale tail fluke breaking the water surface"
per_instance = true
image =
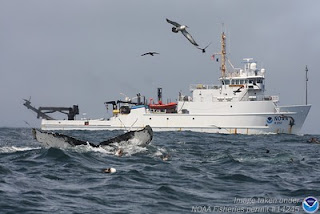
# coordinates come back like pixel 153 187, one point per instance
pixel 52 139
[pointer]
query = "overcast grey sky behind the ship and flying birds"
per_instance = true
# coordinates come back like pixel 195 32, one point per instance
pixel 87 52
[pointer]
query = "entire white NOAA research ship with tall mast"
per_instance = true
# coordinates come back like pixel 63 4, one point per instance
pixel 237 106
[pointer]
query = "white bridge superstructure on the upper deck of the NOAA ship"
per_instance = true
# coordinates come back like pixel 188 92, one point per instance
pixel 247 84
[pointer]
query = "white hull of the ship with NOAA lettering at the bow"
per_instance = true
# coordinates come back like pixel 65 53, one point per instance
pixel 288 119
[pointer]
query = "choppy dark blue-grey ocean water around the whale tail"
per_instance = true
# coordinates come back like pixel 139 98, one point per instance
pixel 205 173
